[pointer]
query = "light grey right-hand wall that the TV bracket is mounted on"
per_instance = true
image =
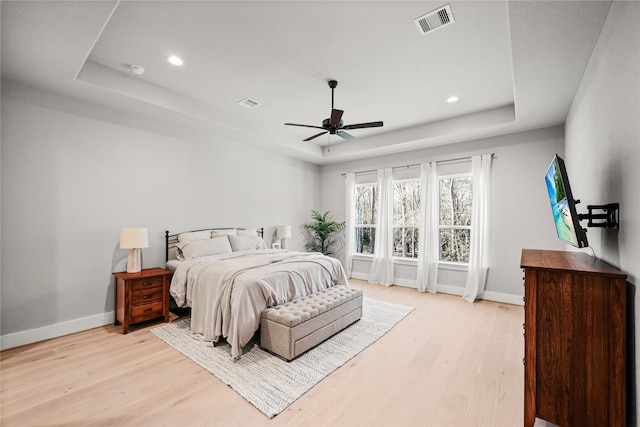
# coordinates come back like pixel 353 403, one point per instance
pixel 603 149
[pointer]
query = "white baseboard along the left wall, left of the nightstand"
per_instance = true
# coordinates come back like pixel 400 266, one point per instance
pixel 53 331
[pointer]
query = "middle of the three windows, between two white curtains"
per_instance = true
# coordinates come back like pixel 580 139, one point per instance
pixel 406 214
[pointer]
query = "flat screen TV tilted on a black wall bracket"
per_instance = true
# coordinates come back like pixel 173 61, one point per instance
pixel 563 205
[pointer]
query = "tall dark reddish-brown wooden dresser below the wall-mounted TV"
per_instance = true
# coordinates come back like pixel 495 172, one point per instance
pixel 575 340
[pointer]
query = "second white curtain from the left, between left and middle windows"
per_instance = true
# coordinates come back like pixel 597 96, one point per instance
pixel 382 267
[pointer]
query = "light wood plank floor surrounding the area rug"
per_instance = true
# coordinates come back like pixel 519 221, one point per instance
pixel 449 363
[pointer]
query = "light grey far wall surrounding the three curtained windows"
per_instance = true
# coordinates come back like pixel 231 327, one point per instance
pixel 521 215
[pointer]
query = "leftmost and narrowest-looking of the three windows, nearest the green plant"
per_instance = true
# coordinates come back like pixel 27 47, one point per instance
pixel 365 233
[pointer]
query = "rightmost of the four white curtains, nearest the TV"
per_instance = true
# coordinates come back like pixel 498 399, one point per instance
pixel 479 242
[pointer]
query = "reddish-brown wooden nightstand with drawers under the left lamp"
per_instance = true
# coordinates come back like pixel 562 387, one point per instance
pixel 141 296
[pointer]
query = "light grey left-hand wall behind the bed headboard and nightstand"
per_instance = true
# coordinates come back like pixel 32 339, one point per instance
pixel 72 180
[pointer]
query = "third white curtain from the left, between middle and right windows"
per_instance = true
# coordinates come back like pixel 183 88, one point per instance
pixel 427 277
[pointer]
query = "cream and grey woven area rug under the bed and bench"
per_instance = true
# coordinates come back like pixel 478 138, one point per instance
pixel 270 383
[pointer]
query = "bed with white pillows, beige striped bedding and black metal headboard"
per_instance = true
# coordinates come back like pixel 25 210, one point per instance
pixel 227 277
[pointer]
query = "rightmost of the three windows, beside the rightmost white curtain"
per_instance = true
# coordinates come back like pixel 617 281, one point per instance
pixel 455 218
